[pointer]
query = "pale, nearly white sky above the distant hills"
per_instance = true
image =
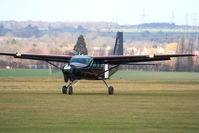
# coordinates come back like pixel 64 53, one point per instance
pixel 119 11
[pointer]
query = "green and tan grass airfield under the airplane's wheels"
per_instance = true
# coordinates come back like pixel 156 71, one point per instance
pixel 139 105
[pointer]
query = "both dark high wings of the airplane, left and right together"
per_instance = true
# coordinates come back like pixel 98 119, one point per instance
pixel 113 59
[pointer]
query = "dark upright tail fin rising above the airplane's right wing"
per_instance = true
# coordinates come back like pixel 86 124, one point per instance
pixel 118 49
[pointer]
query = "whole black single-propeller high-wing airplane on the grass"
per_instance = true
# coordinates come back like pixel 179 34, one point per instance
pixel 95 67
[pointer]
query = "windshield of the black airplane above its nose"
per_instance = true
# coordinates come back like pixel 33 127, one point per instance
pixel 81 59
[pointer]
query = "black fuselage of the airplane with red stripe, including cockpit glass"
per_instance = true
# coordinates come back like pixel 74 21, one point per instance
pixel 85 67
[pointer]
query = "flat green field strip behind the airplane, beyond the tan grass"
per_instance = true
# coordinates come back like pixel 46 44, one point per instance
pixel 119 75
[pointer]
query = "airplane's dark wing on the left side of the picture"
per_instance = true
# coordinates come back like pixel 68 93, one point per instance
pixel 43 57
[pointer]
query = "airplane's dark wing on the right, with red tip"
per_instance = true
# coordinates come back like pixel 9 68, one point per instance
pixel 125 60
